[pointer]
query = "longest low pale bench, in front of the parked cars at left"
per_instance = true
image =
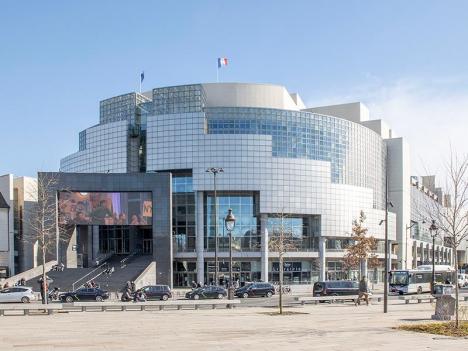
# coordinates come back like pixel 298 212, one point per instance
pixel 148 305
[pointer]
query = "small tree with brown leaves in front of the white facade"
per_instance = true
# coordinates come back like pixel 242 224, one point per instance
pixel 361 252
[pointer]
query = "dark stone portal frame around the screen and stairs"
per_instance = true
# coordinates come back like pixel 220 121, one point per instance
pixel 159 184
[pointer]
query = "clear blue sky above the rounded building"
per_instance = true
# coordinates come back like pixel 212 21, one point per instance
pixel 58 59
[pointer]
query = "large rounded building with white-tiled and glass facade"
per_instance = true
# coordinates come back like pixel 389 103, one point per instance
pixel 318 166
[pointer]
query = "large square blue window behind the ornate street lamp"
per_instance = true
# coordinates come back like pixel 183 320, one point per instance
pixel 246 234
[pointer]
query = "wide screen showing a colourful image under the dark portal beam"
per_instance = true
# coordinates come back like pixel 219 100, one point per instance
pixel 122 208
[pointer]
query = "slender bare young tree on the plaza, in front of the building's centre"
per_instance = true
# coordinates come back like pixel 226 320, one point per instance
pixel 281 241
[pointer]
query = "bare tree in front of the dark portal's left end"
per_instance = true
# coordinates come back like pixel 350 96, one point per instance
pixel 44 227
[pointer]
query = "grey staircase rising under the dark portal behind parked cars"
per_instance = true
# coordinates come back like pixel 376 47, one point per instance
pixel 123 272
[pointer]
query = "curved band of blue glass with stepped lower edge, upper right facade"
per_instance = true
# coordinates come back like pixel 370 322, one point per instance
pixel 356 154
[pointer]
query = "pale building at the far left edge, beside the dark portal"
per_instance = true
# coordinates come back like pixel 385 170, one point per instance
pixel 17 253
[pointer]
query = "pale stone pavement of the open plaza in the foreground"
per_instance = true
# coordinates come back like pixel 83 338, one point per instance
pixel 322 327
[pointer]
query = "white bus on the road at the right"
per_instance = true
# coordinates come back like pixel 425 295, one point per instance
pixel 418 281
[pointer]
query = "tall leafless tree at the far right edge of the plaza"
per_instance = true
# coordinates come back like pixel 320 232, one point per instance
pixel 451 217
